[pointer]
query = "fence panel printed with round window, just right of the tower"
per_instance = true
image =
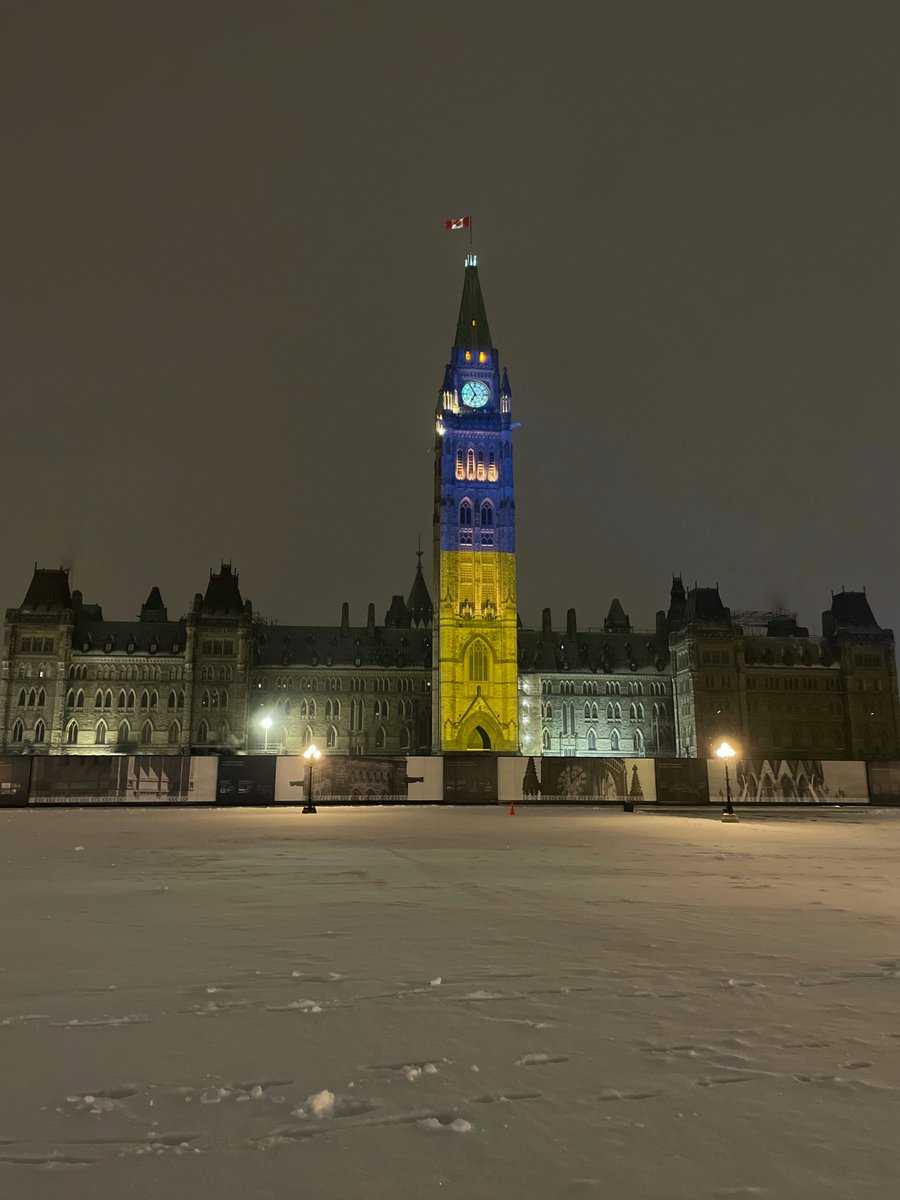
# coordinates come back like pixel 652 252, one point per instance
pixel 553 781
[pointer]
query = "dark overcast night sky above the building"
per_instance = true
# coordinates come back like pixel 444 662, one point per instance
pixel 227 297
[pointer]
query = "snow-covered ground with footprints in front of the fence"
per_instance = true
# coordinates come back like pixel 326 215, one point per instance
pixel 411 1004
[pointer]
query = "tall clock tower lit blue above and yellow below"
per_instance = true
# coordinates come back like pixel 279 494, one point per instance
pixel 476 647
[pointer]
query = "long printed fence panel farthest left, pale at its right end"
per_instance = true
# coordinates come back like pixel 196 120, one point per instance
pixel 123 779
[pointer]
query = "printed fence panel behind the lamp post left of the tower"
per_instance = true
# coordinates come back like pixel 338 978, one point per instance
pixel 352 779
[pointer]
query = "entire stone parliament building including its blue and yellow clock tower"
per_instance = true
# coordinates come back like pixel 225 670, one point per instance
pixel 449 670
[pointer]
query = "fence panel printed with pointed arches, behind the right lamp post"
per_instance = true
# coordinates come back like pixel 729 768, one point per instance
pixel 788 782
